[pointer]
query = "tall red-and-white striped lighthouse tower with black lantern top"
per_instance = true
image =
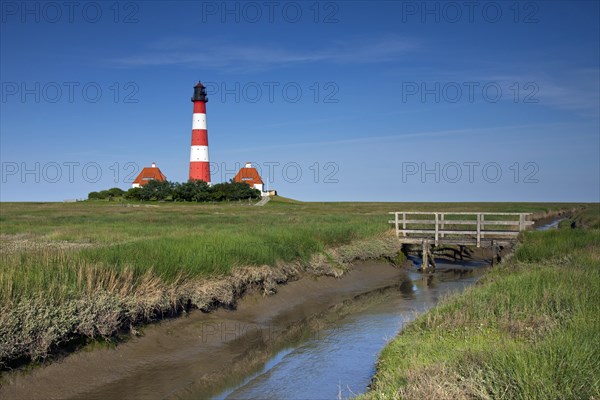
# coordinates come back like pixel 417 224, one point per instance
pixel 199 167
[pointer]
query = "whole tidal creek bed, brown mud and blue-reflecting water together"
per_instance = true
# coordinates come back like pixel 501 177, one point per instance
pixel 315 339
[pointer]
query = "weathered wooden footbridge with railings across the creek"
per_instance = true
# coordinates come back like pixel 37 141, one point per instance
pixel 481 229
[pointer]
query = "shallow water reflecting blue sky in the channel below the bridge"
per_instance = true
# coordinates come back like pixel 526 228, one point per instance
pixel 340 361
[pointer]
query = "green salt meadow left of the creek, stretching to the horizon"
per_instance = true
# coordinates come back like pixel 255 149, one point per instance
pixel 92 269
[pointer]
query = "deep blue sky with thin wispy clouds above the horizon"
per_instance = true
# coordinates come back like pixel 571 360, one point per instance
pixel 333 101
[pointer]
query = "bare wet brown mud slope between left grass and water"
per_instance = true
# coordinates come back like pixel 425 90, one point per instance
pixel 203 351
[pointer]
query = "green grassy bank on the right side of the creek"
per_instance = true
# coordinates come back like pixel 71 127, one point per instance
pixel 529 330
